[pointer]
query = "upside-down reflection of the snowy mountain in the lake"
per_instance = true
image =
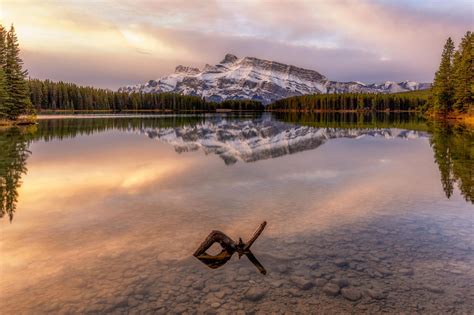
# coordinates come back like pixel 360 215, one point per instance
pixel 259 139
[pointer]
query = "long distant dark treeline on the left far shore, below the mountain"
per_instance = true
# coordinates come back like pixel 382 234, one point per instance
pixel 48 95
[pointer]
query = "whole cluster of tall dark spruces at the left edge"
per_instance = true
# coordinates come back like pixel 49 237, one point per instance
pixel 14 94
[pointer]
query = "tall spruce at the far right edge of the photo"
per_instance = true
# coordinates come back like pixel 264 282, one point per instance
pixel 463 74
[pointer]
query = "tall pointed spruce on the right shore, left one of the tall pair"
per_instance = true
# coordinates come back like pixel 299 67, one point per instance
pixel 443 85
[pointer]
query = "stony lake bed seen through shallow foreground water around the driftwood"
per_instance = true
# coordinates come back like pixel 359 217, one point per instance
pixel 396 265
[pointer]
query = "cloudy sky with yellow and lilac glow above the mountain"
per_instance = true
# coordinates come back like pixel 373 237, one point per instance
pixel 109 43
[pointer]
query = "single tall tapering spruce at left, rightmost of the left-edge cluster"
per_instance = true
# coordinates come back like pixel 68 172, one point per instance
pixel 17 87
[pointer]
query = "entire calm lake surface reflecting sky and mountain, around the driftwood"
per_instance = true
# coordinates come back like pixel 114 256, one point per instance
pixel 365 214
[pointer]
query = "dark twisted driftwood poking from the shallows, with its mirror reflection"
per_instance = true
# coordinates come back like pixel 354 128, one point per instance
pixel 229 247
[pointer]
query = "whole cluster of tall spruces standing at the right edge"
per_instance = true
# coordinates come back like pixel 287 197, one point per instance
pixel 453 86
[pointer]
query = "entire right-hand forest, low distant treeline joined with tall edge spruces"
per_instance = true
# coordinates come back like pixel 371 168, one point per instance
pixel 451 94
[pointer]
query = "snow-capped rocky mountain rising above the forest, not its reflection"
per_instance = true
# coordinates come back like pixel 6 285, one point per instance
pixel 258 79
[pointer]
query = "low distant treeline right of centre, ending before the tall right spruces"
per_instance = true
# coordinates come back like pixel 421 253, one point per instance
pixel 351 102
